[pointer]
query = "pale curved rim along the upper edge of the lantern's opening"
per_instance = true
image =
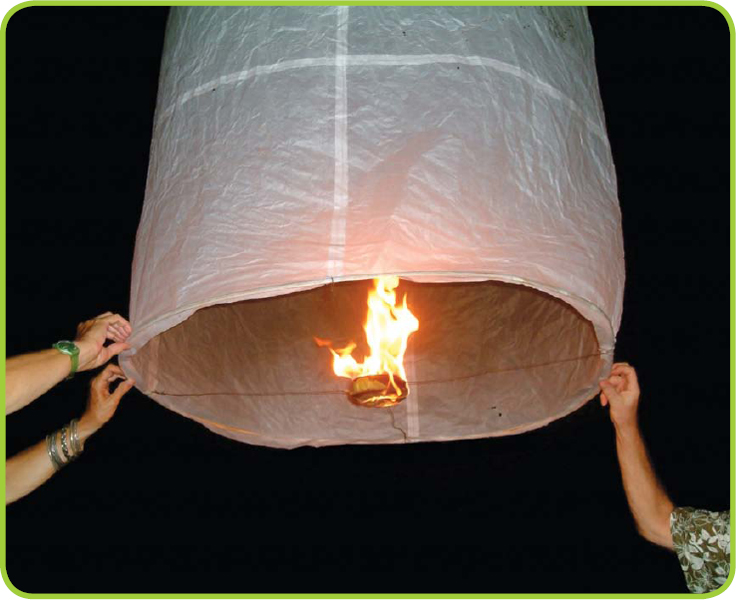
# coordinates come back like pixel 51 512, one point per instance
pixel 465 276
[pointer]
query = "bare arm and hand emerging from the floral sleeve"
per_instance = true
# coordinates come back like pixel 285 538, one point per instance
pixel 649 503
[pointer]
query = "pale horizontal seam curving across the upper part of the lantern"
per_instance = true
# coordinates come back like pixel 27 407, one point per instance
pixel 345 61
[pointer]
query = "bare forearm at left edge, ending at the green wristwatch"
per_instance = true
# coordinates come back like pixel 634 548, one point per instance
pixel 30 375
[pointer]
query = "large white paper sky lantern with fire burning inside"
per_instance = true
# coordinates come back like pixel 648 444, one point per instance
pixel 376 224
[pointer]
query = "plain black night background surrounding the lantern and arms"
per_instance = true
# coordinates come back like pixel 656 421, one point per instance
pixel 160 504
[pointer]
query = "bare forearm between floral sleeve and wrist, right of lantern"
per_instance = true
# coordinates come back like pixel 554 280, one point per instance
pixel 648 501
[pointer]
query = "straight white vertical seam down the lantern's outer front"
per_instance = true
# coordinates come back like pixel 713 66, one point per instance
pixel 336 250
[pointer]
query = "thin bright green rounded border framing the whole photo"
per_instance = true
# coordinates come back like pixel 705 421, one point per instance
pixel 3 316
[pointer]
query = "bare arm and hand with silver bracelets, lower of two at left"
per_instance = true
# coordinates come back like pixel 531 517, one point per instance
pixel 31 468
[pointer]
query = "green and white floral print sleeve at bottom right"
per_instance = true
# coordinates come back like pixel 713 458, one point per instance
pixel 702 541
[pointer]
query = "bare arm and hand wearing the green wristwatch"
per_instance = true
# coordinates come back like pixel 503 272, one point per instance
pixel 30 375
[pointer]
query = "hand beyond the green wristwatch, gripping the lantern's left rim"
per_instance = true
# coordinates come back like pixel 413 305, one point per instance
pixel 92 335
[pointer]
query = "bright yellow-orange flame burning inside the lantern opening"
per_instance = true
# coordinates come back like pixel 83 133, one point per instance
pixel 387 329
